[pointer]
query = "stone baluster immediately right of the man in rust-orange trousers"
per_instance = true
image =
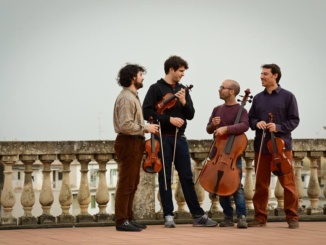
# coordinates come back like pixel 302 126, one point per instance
pixel 298 157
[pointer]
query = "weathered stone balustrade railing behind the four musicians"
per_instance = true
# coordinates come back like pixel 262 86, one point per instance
pixel 308 156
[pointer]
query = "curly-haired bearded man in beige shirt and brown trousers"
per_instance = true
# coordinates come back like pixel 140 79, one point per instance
pixel 129 145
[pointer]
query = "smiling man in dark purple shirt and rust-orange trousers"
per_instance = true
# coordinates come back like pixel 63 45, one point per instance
pixel 283 105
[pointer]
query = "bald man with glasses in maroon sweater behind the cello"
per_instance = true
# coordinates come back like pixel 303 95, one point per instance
pixel 221 122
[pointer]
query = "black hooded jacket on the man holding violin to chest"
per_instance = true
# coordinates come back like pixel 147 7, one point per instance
pixel 155 94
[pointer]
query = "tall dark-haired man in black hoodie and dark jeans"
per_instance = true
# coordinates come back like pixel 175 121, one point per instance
pixel 173 122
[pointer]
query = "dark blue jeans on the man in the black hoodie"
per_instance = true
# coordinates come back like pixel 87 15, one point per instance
pixel 183 166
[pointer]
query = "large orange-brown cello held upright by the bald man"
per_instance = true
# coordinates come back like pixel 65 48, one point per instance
pixel 220 175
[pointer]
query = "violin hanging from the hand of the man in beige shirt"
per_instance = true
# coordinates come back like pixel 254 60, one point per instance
pixel 152 163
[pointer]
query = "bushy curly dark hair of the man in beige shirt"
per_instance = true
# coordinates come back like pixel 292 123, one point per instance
pixel 127 73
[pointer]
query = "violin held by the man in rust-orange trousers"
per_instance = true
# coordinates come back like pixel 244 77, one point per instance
pixel 280 164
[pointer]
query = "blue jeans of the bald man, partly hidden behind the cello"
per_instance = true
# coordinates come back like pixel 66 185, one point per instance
pixel 238 196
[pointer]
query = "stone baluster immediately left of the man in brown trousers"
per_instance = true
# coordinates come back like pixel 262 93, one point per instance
pixel 102 194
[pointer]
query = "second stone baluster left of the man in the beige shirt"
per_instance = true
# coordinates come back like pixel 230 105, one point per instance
pixel 84 194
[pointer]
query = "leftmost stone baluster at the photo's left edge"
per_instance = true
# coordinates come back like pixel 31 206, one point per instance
pixel 8 199
